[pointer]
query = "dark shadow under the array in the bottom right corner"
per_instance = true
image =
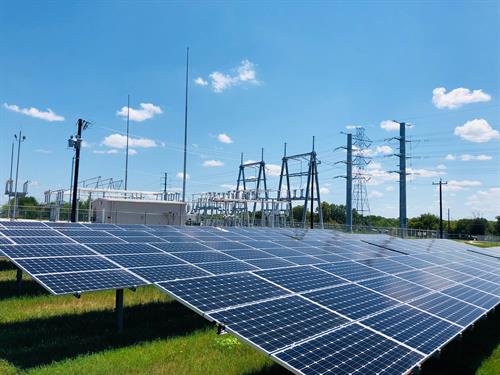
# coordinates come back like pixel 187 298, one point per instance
pixel 465 355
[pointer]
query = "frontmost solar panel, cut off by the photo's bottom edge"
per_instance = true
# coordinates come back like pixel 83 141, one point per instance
pixel 350 350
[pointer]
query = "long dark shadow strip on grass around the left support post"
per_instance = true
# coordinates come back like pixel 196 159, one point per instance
pixel 41 341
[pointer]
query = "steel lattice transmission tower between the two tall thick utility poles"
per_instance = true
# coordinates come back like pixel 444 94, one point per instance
pixel 360 161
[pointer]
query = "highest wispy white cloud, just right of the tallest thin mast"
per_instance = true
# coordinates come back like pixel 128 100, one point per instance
pixel 243 74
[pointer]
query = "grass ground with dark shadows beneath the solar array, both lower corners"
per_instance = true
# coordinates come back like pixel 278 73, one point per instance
pixel 43 334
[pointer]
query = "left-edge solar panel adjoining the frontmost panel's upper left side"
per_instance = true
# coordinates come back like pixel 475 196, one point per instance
pixel 278 323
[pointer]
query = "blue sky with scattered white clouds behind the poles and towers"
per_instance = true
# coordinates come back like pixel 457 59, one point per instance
pixel 261 74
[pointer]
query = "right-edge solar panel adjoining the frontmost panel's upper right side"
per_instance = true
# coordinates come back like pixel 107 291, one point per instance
pixel 414 328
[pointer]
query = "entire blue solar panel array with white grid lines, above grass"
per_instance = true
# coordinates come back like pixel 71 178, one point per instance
pixel 315 301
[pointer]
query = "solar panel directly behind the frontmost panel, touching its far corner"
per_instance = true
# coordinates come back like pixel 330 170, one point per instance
pixel 352 300
